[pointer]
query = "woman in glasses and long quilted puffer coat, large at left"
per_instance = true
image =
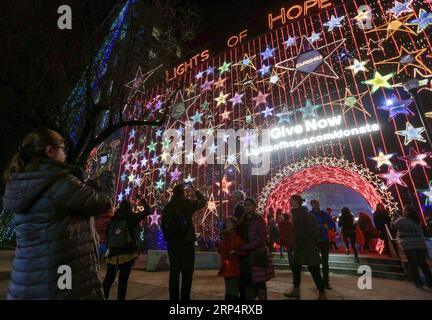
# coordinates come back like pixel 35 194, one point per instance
pixel 52 208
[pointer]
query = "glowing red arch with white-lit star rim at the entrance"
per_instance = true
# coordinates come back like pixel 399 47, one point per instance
pixel 300 176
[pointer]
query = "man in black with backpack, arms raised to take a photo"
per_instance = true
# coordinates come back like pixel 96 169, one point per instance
pixel 181 249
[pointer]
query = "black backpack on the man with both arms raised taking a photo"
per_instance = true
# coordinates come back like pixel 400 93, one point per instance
pixel 173 224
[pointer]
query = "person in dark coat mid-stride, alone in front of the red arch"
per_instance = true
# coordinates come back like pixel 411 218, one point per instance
pixel 306 234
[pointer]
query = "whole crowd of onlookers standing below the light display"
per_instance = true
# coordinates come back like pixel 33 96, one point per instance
pixel 55 212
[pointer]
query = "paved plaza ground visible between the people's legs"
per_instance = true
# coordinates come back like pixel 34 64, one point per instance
pixel 208 286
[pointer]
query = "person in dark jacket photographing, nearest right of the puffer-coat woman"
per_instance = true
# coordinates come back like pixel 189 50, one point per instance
pixel 122 258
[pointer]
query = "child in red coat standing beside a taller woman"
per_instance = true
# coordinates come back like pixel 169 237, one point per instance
pixel 230 265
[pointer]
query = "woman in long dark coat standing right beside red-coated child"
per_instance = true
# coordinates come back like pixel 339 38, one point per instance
pixel 256 266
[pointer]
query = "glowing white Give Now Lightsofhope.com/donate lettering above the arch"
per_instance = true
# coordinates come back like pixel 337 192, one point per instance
pixel 309 132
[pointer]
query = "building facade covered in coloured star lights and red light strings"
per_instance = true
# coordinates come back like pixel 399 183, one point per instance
pixel 317 99
